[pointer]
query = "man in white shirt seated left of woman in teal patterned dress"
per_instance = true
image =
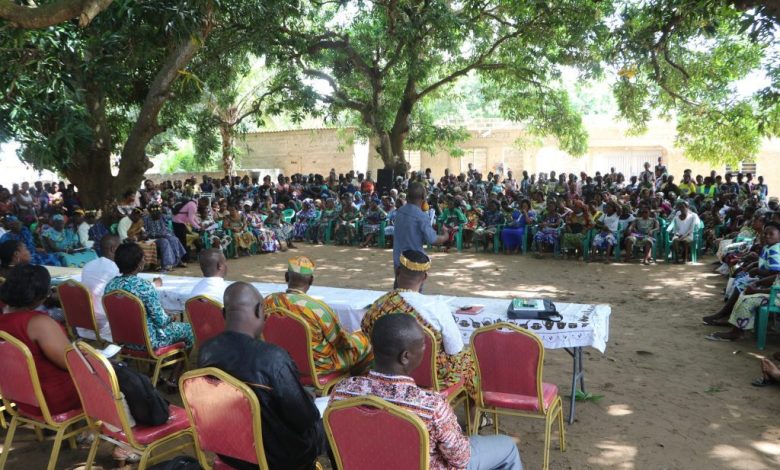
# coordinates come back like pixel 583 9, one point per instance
pixel 95 275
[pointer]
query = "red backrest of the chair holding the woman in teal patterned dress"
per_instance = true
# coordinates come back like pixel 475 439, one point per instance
pixel 126 315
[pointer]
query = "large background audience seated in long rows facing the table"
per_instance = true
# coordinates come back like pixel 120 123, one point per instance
pixel 575 215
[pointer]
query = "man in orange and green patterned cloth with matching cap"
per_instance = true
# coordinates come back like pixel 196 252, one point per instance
pixel 335 349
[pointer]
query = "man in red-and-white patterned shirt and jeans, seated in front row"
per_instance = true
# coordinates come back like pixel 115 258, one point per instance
pixel 398 344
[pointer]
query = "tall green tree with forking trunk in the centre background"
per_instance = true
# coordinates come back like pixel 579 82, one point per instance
pixel 379 60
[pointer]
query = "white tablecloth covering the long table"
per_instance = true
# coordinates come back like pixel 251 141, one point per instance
pixel 583 324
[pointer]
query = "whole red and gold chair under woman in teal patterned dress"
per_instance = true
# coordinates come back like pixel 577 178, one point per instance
pixel 127 316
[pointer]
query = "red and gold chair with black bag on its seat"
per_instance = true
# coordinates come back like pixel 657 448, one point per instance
pixel 107 414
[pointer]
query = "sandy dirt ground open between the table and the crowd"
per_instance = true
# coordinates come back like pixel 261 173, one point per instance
pixel 671 399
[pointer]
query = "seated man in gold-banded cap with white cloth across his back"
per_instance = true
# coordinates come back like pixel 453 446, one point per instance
pixel 454 361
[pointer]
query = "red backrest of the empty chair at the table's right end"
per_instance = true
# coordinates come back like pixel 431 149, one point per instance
pixel 509 360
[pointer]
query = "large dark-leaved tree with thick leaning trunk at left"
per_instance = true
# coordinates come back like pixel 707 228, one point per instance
pixel 81 100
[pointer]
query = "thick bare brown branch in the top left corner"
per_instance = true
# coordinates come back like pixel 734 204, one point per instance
pixel 52 13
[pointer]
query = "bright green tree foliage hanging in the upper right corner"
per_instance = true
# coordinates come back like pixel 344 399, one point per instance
pixel 689 59
